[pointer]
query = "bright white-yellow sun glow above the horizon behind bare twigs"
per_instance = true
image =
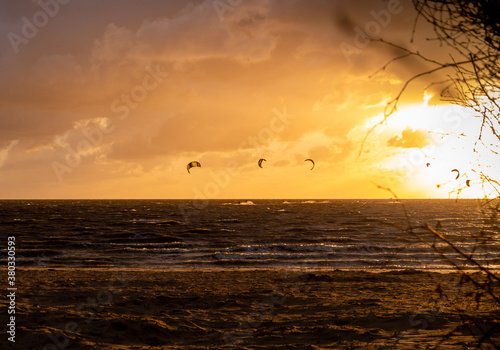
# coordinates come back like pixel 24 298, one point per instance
pixel 424 144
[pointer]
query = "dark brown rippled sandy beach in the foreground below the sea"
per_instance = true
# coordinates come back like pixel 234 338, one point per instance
pixel 244 309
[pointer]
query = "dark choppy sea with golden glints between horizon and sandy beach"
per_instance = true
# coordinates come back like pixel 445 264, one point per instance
pixel 376 234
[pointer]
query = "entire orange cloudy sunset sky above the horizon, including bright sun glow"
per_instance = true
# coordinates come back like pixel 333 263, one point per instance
pixel 112 99
